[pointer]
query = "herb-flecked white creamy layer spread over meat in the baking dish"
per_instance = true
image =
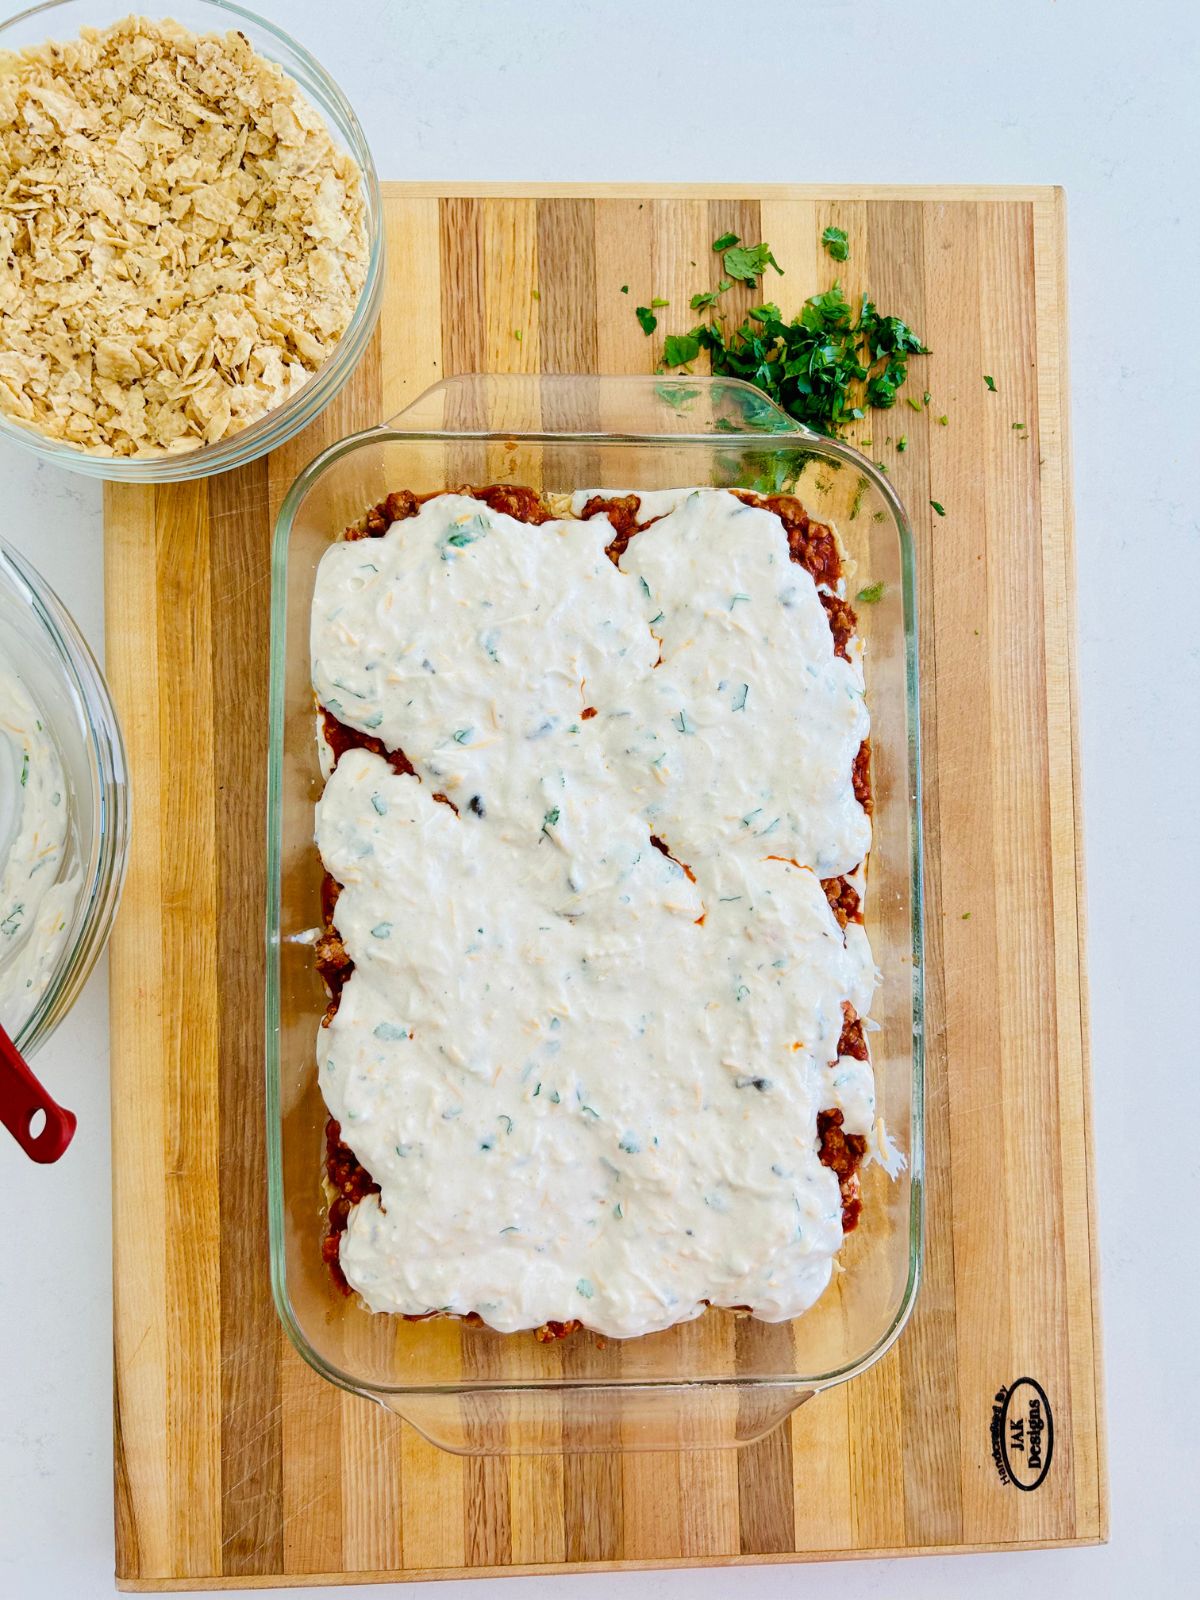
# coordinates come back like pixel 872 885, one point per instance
pixel 585 1081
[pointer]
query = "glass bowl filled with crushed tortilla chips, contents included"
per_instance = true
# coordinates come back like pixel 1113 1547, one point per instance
pixel 191 239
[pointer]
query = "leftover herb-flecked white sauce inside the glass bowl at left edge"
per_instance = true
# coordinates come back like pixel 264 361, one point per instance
pixel 39 889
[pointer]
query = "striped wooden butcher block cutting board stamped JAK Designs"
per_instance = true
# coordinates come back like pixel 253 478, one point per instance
pixel 238 1465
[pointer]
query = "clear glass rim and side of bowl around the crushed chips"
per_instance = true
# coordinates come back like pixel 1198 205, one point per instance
pixel 65 20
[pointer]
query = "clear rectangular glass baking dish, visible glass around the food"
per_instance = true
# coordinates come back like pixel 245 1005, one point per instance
pixel 721 1380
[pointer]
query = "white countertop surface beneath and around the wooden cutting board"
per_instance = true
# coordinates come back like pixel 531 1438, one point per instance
pixel 1095 95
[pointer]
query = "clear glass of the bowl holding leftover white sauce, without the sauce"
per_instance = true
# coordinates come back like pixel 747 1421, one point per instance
pixel 41 642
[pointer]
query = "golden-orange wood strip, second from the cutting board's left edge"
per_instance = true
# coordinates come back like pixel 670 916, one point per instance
pixel 190 1057
